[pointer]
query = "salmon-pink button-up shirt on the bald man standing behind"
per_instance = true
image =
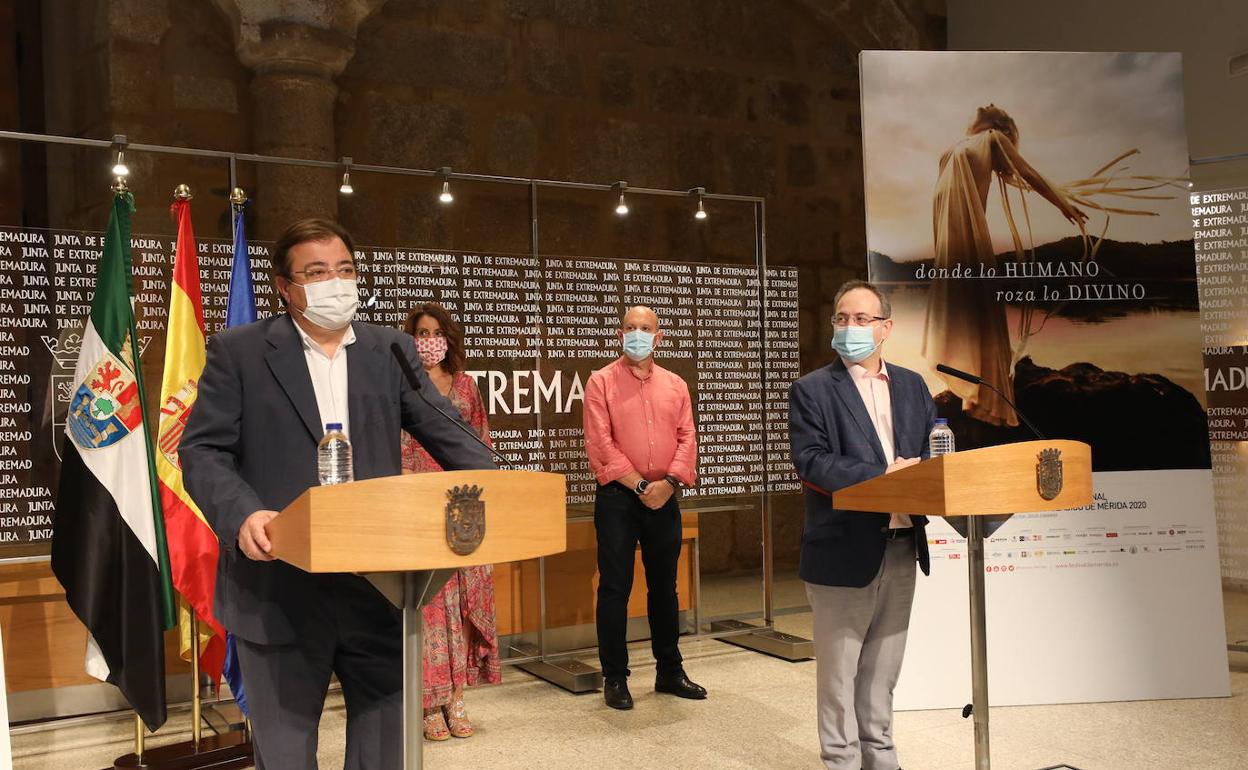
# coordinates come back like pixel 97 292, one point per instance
pixel 640 425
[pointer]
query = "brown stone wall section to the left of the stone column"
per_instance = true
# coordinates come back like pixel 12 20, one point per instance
pixel 157 72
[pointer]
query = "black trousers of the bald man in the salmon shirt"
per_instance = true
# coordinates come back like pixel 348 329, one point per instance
pixel 623 522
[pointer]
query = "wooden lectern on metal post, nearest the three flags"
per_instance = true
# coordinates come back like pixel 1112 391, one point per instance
pixel 416 530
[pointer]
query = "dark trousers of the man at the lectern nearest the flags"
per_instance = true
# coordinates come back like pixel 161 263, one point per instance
pixel 355 633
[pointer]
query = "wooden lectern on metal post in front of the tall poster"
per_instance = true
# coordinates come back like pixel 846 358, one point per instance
pixel 1012 479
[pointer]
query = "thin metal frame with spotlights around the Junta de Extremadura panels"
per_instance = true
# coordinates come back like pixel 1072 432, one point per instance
pixel 759 213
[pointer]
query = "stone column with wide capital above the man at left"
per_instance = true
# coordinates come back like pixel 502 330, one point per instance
pixel 294 97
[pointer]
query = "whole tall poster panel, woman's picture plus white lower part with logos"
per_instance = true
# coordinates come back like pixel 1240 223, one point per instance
pixel 1028 214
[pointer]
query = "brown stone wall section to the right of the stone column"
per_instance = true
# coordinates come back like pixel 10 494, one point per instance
pixel 739 97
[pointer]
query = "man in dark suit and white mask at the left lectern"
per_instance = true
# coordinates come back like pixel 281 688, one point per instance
pixel 250 449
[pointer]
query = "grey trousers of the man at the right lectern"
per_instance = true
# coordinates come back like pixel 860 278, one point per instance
pixel 860 638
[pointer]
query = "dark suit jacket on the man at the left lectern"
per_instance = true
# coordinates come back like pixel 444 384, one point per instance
pixel 250 445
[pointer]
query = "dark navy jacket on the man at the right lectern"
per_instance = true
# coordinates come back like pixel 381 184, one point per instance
pixel 834 446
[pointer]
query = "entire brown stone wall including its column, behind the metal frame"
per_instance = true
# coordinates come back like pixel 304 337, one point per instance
pixel 739 97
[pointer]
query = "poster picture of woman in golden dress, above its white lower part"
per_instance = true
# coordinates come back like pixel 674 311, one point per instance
pixel 1029 217
